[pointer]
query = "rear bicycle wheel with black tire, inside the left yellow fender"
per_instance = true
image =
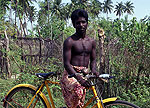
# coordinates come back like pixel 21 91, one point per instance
pixel 21 96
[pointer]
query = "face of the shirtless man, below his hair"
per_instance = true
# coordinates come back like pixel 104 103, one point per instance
pixel 81 25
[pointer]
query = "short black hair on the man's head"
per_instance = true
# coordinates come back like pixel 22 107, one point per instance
pixel 79 13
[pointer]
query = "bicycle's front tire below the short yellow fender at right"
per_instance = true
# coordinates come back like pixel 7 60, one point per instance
pixel 119 104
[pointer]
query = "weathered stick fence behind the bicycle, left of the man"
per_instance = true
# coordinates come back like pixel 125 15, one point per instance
pixel 33 51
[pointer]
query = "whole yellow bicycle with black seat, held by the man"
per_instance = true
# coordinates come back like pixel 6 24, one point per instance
pixel 28 96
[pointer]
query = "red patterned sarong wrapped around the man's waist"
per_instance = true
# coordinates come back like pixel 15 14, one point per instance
pixel 73 92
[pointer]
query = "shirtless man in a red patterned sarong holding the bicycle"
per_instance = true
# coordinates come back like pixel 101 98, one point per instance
pixel 79 51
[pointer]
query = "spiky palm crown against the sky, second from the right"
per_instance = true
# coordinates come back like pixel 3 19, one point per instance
pixel 119 9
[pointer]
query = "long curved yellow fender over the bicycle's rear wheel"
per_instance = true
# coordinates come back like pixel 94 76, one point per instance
pixel 32 87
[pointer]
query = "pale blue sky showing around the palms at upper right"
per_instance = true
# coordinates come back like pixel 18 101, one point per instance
pixel 142 8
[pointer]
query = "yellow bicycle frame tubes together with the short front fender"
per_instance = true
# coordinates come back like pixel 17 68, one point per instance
pixel 99 103
